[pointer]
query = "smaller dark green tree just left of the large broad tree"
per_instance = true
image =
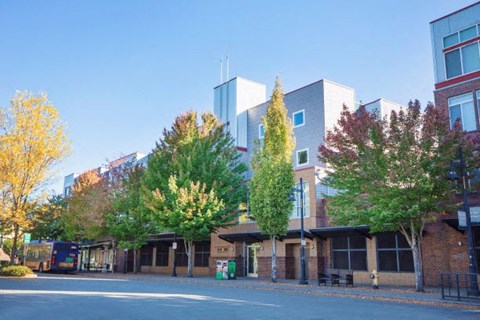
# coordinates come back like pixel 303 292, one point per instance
pixel 129 222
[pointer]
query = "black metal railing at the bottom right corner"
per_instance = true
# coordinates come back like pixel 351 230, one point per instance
pixel 459 286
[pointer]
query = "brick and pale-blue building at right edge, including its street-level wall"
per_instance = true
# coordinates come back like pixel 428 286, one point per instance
pixel 456 57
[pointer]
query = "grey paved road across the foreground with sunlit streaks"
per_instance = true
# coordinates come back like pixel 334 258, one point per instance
pixel 70 297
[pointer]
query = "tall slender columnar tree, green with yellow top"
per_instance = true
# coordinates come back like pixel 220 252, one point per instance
pixel 273 176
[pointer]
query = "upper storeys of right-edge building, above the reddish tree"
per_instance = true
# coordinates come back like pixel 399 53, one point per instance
pixel 456 58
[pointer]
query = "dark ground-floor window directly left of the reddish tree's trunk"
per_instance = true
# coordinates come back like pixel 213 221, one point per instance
pixel 394 253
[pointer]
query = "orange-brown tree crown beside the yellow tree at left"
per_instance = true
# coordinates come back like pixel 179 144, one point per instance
pixel 85 218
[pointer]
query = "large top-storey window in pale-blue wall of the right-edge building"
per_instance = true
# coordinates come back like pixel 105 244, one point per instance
pixel 462 60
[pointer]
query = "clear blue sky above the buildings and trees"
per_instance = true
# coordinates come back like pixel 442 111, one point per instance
pixel 120 71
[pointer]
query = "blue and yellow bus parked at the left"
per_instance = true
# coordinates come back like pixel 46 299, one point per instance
pixel 50 255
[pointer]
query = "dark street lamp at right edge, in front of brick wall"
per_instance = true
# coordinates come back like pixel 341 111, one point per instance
pixel 464 176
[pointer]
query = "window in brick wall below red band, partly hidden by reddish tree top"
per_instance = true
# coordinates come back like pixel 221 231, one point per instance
pixel 462 108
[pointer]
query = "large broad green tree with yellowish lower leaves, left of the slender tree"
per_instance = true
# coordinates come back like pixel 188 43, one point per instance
pixel 194 180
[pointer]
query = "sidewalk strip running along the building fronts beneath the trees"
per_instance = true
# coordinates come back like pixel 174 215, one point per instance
pixel 431 296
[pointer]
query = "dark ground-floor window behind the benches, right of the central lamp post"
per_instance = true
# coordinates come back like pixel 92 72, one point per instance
pixel 349 253
